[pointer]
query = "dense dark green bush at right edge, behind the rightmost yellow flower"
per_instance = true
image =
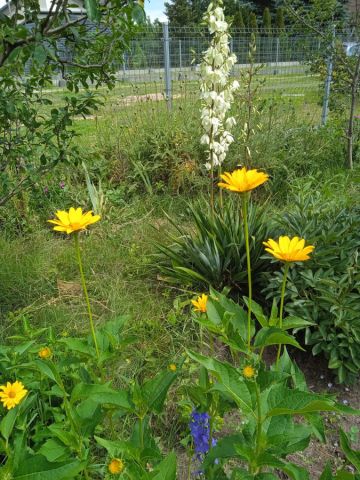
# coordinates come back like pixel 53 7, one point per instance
pixel 328 290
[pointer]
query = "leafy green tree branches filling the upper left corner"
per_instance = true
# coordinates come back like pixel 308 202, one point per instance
pixel 79 47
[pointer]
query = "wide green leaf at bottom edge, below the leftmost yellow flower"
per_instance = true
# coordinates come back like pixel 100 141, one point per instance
pixel 38 468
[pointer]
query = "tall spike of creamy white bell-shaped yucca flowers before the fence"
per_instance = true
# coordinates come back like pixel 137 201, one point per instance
pixel 217 90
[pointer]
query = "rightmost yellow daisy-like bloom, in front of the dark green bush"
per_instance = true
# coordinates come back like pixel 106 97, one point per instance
pixel 289 249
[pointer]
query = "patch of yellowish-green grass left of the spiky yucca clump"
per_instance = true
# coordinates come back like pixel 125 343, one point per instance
pixel 39 279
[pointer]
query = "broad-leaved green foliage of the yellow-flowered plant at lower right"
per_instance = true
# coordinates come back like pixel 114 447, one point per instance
pixel 269 401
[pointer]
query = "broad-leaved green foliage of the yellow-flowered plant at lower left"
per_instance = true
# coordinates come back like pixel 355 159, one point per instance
pixel 68 403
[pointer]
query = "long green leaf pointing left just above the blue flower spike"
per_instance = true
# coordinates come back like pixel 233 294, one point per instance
pixel 230 381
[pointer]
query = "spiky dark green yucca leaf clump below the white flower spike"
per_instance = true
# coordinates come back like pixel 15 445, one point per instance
pixel 212 251
